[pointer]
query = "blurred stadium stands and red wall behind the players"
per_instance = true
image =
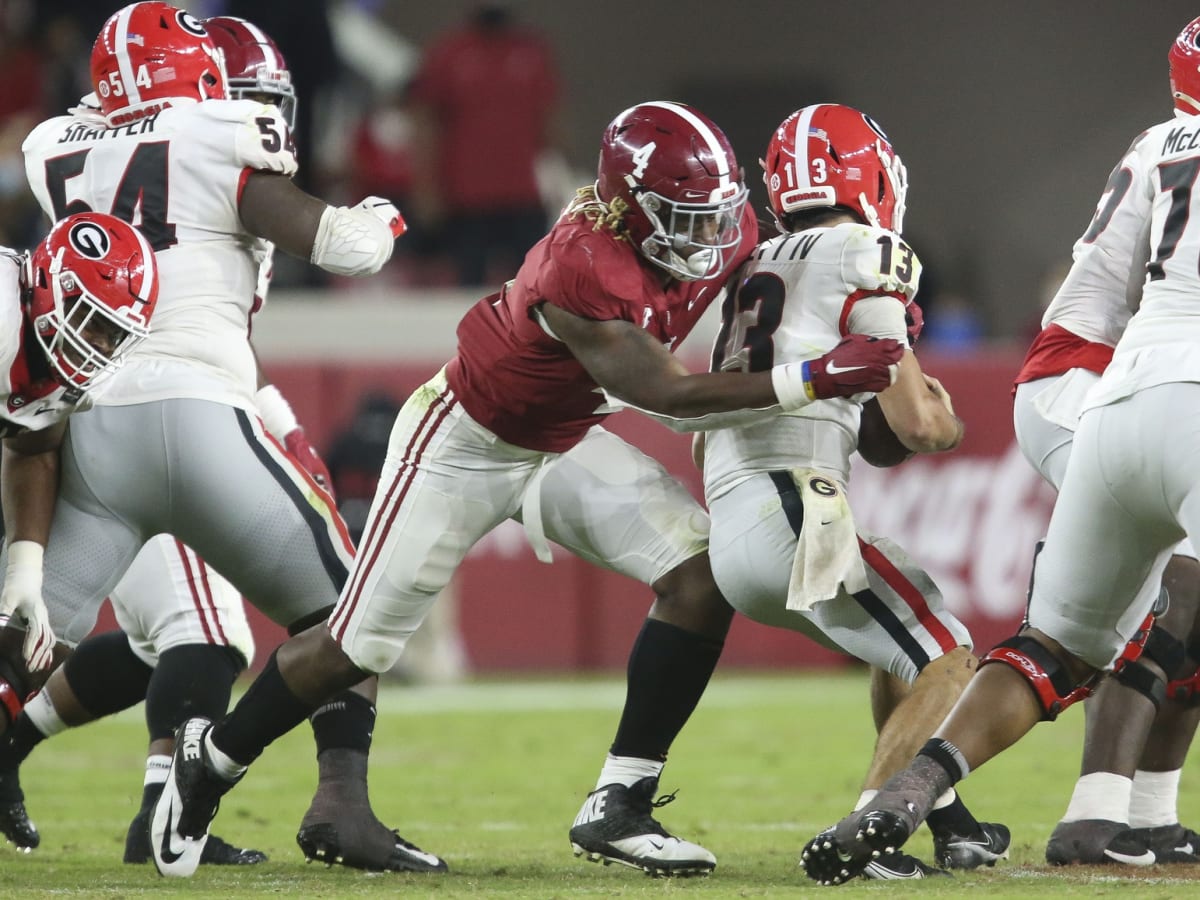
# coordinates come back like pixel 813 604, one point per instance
pixel 1007 117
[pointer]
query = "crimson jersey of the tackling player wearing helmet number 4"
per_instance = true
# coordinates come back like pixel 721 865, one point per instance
pixel 525 386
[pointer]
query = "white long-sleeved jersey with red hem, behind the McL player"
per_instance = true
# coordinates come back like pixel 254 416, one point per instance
pixel 1093 307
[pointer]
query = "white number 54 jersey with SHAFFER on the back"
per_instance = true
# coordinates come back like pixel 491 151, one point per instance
pixel 177 176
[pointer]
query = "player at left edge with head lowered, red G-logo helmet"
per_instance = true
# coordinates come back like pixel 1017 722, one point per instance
pixel 73 310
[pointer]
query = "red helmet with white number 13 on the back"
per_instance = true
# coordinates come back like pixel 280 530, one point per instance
pixel 831 155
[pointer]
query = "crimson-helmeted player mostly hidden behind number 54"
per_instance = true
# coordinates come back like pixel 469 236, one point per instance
pixel 183 637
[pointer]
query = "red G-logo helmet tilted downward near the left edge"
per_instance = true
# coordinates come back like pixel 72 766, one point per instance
pixel 93 286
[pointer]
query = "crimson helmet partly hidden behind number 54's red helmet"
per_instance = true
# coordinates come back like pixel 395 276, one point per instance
pixel 255 68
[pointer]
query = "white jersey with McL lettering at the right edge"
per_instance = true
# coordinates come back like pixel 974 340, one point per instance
pixel 1160 344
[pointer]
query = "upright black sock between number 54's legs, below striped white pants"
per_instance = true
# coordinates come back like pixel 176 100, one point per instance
pixel 193 680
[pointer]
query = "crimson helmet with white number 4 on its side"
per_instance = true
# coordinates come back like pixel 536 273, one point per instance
pixel 680 182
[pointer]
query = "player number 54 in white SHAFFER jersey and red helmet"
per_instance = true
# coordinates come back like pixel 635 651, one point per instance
pixel 176 445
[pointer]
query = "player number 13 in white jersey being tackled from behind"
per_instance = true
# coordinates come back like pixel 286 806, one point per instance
pixel 784 545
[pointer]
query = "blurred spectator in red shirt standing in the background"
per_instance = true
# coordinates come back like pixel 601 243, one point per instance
pixel 484 100
